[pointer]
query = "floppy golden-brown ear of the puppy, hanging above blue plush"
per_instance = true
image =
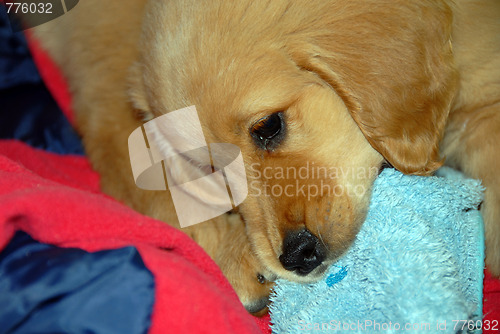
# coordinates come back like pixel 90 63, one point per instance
pixel 391 62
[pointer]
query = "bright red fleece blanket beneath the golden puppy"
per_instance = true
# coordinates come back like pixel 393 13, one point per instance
pixel 56 199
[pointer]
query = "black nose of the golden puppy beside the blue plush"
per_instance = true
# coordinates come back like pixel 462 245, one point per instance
pixel 302 252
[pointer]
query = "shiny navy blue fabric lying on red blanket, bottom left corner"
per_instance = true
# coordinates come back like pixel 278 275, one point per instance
pixel 47 289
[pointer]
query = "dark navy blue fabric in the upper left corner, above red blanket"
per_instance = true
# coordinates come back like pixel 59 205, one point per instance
pixel 27 110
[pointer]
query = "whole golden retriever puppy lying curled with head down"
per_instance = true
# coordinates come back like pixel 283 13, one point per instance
pixel 317 94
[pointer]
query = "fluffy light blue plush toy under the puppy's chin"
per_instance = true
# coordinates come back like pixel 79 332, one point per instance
pixel 416 265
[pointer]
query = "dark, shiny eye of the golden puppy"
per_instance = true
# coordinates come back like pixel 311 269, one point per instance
pixel 268 132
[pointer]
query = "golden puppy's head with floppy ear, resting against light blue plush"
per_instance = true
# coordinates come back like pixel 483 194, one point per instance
pixel 316 96
